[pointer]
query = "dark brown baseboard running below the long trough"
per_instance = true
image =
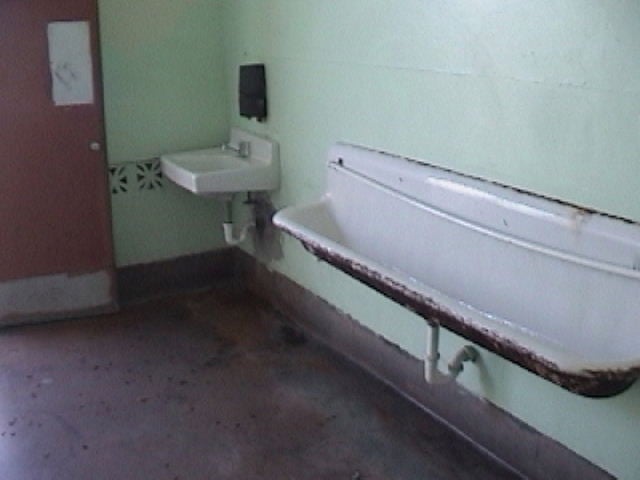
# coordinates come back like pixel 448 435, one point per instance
pixel 526 450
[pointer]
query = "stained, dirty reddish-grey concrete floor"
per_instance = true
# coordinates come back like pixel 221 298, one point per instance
pixel 207 386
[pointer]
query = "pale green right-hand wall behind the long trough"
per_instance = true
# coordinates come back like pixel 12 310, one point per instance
pixel 543 95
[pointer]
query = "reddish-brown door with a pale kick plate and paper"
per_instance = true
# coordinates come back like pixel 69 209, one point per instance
pixel 56 254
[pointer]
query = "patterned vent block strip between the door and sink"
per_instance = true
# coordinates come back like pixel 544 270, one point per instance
pixel 131 177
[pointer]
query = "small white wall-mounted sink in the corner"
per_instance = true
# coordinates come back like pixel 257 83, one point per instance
pixel 221 170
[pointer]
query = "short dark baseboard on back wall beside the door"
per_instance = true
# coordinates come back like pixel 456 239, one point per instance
pixel 191 272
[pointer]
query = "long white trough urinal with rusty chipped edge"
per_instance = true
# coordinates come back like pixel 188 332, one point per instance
pixel 549 286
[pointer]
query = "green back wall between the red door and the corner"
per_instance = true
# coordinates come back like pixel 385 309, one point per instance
pixel 164 90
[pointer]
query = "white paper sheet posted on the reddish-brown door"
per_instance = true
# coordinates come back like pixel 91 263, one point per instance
pixel 70 63
